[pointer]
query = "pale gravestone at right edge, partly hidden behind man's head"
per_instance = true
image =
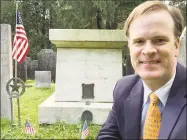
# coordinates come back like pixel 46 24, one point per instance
pixel 182 49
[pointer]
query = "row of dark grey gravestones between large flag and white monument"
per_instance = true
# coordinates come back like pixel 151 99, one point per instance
pixel 46 62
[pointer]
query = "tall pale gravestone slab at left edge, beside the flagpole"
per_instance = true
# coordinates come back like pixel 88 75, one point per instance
pixel 6 69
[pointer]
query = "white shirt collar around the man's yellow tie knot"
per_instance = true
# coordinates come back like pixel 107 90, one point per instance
pixel 162 93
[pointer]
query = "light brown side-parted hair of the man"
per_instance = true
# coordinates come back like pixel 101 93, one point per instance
pixel 155 6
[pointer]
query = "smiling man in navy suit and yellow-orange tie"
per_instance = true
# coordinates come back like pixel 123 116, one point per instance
pixel 150 104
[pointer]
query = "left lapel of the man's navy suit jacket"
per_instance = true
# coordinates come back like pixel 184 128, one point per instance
pixel 132 112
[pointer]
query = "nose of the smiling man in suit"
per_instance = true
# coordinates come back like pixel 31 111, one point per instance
pixel 149 49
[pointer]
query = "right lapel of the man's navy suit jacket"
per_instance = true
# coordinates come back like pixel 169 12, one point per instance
pixel 175 103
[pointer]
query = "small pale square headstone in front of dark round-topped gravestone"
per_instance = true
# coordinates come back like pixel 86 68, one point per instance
pixel 42 79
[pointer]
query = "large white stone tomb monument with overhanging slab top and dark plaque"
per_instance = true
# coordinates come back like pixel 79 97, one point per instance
pixel 89 62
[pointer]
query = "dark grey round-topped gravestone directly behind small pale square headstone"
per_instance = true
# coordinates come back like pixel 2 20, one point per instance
pixel 47 62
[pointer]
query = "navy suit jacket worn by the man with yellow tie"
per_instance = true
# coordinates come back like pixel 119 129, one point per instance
pixel 124 120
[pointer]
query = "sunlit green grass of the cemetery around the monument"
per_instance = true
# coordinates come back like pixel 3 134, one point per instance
pixel 29 103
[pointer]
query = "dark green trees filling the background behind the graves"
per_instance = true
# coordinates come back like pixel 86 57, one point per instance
pixel 41 15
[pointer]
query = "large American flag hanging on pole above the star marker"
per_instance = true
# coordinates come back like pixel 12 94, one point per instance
pixel 20 44
